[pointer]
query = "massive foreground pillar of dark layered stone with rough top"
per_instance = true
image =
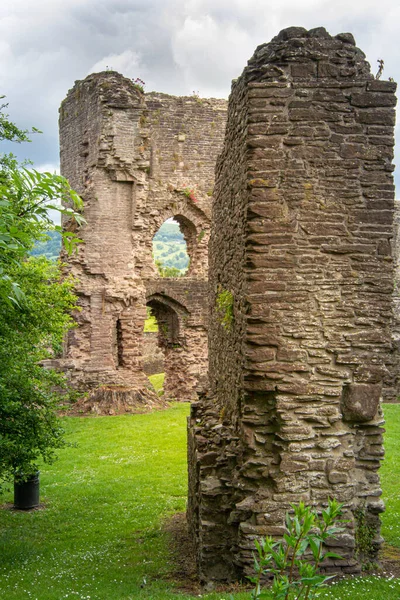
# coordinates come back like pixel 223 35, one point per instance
pixel 300 298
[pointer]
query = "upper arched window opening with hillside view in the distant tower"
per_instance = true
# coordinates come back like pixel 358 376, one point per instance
pixel 173 246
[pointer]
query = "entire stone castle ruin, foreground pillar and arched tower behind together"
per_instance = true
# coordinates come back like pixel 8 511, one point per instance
pixel 300 280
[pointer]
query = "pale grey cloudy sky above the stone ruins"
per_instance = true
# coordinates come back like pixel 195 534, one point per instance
pixel 175 46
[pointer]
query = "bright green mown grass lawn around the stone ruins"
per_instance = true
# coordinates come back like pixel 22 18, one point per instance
pixel 100 536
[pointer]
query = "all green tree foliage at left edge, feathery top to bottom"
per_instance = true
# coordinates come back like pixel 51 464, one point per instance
pixel 35 305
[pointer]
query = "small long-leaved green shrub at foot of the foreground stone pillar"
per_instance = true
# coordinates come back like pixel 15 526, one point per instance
pixel 293 563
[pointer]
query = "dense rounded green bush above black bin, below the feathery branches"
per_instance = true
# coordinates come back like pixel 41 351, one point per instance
pixel 30 393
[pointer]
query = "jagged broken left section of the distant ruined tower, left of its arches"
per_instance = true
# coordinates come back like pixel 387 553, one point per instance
pixel 103 155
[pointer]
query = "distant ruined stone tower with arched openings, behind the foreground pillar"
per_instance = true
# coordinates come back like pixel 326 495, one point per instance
pixel 134 157
